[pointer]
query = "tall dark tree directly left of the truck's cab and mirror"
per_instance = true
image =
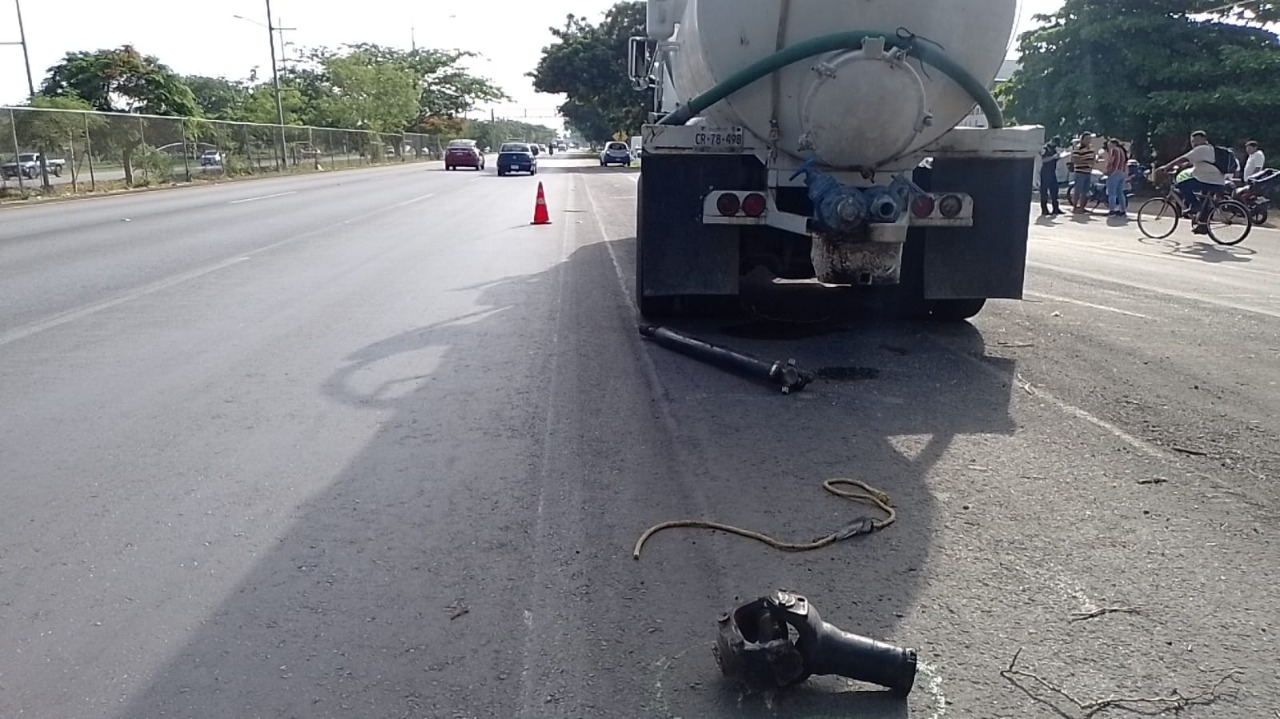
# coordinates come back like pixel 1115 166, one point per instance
pixel 588 65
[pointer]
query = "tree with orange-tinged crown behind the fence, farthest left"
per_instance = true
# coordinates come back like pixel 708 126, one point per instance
pixel 121 81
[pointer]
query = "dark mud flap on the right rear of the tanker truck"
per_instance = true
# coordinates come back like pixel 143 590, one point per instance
pixel 988 260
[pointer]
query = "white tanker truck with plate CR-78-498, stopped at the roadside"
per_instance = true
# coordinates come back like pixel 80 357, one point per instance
pixel 794 135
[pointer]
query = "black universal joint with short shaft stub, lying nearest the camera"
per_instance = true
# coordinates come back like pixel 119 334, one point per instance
pixel 780 640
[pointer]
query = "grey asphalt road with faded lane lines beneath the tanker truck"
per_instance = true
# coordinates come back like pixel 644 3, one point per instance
pixel 372 446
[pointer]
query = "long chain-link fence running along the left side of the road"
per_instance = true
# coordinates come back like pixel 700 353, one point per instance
pixel 71 153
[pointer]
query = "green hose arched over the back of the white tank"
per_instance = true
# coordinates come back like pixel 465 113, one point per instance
pixel 853 40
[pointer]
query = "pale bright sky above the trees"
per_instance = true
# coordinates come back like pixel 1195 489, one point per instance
pixel 208 39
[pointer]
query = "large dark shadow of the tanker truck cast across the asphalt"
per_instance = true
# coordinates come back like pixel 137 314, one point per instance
pixel 476 558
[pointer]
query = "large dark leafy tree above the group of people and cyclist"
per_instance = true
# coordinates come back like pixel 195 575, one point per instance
pixel 1150 71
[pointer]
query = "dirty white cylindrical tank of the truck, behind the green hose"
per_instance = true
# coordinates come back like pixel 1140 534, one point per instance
pixel 849 109
